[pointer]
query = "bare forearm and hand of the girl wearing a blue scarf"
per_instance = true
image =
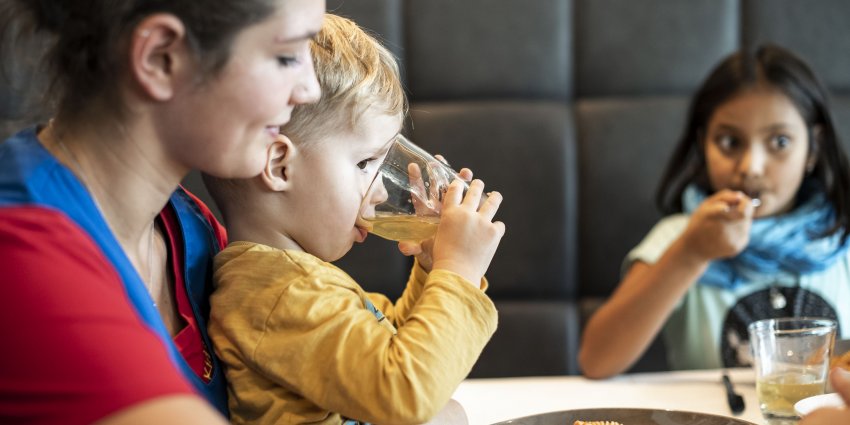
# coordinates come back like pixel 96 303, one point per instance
pixel 621 330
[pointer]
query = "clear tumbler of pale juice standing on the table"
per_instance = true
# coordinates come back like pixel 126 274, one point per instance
pixel 791 358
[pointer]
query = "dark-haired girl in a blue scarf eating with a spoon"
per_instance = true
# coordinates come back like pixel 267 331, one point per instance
pixel 756 193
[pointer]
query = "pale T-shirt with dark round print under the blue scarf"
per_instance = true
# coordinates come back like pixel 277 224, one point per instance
pixel 707 328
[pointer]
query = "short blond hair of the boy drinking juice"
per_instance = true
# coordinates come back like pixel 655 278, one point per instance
pixel 355 72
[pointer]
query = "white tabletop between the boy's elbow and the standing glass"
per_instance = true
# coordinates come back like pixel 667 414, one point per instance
pixel 491 400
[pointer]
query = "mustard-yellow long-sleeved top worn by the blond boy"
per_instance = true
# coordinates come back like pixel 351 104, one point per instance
pixel 301 346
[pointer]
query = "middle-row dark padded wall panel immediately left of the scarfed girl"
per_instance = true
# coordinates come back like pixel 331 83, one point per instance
pixel 624 148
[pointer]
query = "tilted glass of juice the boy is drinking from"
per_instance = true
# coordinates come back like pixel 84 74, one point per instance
pixel 405 198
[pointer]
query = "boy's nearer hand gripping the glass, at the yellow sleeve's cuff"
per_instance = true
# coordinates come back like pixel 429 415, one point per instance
pixel 467 238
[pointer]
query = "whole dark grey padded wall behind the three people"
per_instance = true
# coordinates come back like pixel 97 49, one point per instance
pixel 570 109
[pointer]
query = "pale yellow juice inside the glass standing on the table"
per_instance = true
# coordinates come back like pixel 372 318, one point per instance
pixel 778 393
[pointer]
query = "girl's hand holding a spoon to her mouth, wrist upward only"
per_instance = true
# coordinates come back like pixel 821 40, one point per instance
pixel 720 226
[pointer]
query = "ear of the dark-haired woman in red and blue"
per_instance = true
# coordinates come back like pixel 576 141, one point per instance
pixel 159 55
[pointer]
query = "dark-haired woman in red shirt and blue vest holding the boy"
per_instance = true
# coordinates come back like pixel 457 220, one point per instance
pixel 107 261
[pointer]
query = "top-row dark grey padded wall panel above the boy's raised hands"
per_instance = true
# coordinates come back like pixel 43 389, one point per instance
pixel 476 49
